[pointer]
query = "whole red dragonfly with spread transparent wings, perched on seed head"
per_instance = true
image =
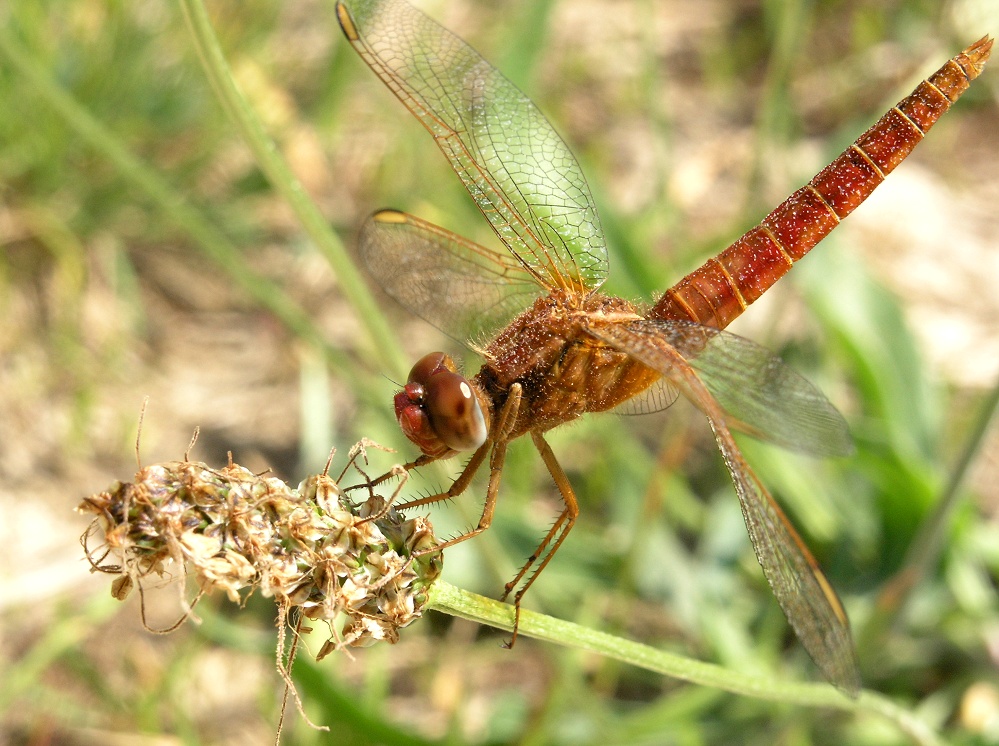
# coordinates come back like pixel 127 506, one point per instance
pixel 555 347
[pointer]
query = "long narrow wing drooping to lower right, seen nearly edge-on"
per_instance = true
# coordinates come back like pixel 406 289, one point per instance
pixel 802 590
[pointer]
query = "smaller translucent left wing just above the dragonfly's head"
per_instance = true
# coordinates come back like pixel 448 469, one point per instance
pixel 465 290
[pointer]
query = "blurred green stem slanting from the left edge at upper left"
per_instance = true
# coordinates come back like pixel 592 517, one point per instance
pixel 211 242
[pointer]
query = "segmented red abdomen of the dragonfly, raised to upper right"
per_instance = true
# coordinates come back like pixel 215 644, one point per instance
pixel 723 287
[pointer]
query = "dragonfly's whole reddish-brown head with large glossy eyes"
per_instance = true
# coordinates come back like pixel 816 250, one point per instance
pixel 439 410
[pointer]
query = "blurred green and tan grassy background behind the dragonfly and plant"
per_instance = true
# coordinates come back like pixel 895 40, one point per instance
pixel 122 181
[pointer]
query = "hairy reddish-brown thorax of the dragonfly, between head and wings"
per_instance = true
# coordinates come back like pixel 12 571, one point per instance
pixel 564 371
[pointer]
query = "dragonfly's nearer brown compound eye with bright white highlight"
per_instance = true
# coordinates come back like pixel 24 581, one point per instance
pixel 454 411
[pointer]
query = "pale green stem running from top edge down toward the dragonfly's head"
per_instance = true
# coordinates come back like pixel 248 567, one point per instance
pixel 384 341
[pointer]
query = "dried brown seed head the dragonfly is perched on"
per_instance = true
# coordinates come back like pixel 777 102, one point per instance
pixel 234 530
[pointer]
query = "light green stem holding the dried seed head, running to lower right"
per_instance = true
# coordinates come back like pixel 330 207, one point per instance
pixel 450 600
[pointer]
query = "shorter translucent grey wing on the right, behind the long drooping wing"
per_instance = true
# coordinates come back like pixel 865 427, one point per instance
pixel 759 393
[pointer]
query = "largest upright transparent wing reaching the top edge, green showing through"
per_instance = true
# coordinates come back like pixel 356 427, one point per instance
pixel 518 170
